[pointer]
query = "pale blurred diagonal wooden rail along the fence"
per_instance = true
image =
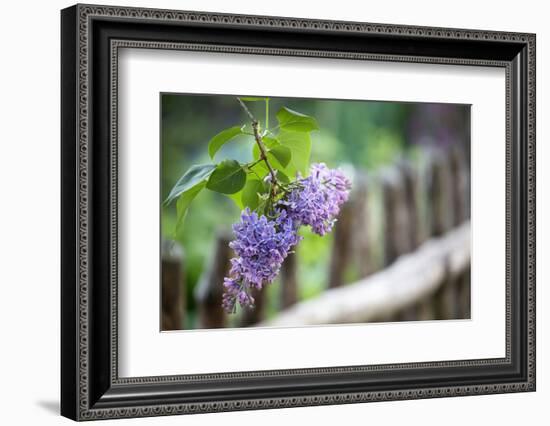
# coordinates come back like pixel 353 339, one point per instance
pixel 411 278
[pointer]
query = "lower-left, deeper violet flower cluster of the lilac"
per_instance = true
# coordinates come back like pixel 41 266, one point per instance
pixel 261 245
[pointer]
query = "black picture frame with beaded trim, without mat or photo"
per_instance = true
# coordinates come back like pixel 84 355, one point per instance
pixel 90 386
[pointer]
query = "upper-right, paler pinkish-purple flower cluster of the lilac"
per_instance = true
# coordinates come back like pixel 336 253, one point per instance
pixel 318 199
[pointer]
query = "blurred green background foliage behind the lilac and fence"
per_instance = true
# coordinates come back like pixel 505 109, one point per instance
pixel 363 134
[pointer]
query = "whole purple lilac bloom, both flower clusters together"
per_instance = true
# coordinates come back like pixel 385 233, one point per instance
pixel 262 244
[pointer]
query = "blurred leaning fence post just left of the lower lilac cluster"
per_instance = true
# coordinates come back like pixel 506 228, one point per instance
pixel 209 291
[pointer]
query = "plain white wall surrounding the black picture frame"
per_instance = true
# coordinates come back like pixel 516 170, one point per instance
pixel 29 225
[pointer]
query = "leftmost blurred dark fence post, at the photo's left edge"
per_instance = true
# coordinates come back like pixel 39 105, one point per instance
pixel 173 288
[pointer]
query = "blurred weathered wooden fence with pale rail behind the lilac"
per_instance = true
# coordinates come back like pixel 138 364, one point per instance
pixel 415 268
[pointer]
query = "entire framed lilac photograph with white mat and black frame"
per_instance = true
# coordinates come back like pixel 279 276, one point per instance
pixel 263 212
